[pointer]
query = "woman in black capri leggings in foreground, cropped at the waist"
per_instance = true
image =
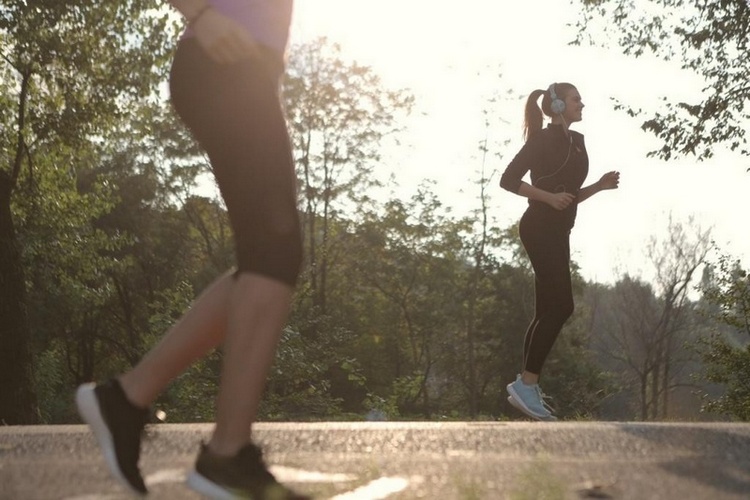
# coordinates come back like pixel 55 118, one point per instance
pixel 224 85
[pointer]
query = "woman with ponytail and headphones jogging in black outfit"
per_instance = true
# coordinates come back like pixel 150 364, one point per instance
pixel 556 159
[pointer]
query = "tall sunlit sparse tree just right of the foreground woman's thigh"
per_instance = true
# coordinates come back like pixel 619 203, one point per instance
pixel 339 113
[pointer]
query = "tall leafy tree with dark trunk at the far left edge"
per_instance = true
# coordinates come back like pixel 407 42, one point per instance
pixel 69 71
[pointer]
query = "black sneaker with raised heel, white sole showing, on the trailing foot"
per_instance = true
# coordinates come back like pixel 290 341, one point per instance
pixel 117 425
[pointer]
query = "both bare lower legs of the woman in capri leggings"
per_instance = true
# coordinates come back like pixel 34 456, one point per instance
pixel 247 313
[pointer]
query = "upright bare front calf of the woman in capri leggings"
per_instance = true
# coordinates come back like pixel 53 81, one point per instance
pixel 258 309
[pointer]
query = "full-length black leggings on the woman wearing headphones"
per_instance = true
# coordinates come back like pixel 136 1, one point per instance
pixel 548 247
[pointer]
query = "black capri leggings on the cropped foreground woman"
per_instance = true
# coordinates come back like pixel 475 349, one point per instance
pixel 234 112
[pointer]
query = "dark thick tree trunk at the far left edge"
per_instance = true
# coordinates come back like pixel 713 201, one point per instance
pixel 17 395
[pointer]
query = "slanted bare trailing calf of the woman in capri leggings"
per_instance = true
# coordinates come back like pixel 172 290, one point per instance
pixel 200 329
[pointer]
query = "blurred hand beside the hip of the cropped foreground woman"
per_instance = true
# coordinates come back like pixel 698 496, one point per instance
pixel 225 40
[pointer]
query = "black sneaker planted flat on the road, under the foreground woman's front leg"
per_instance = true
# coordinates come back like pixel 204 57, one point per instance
pixel 244 475
